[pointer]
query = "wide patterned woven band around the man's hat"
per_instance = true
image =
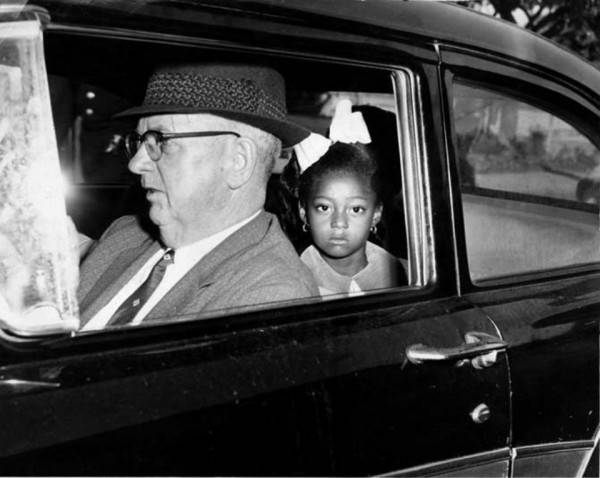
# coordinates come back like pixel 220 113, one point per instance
pixel 211 93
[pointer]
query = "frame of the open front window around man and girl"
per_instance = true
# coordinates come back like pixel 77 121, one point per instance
pixel 415 186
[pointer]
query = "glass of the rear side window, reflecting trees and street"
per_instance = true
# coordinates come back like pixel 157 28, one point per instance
pixel 529 185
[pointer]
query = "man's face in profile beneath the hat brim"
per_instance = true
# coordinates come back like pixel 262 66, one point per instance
pixel 185 187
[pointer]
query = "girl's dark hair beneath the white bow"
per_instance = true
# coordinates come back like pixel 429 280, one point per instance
pixel 342 159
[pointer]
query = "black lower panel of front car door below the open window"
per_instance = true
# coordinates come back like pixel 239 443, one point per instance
pixel 314 396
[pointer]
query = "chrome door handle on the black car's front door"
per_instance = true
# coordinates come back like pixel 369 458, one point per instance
pixel 476 343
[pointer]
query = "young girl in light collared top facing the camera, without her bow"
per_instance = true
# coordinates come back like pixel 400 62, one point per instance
pixel 340 205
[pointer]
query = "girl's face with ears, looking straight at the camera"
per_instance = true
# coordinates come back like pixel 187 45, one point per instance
pixel 340 213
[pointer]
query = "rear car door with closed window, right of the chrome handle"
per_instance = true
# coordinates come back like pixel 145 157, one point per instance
pixel 525 147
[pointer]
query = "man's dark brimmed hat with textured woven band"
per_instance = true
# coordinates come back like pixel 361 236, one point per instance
pixel 254 95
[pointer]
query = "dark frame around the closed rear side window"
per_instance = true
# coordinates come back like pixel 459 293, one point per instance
pixel 534 88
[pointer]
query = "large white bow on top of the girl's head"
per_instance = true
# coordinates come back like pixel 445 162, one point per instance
pixel 346 127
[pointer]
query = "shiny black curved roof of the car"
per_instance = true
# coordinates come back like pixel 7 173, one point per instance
pixel 442 22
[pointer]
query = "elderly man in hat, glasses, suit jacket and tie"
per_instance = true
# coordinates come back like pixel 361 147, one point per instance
pixel 206 141
